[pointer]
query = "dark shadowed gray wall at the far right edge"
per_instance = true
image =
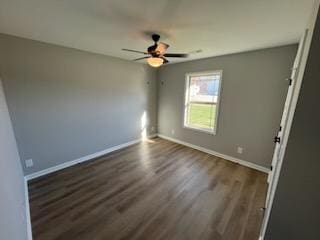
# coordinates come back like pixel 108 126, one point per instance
pixel 296 207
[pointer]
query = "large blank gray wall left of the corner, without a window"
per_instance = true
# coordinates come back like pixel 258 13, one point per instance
pixel 67 103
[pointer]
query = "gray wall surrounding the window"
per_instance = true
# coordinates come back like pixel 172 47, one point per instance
pixel 252 98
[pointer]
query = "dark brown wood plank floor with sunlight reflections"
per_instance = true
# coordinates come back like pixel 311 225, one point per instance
pixel 157 190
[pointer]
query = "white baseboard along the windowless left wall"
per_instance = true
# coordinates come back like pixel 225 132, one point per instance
pixel 82 159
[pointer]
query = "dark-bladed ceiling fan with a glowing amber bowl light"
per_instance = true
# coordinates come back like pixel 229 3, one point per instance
pixel 156 53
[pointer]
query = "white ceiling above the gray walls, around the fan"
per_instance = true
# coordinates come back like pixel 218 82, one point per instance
pixel 105 26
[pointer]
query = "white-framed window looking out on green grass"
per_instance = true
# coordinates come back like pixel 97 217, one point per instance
pixel 202 96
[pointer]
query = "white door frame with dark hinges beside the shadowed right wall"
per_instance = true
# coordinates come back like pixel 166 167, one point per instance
pixel 273 178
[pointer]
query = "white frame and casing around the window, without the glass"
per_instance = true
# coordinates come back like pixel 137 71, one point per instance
pixel 186 101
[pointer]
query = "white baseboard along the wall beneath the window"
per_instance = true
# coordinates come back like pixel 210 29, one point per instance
pixel 221 155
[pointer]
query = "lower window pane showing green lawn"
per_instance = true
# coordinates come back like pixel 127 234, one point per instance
pixel 201 115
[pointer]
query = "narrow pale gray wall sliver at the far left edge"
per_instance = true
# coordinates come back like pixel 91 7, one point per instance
pixel 12 204
